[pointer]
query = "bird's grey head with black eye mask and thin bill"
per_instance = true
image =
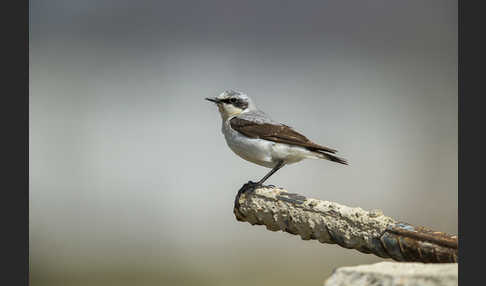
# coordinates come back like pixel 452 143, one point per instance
pixel 231 103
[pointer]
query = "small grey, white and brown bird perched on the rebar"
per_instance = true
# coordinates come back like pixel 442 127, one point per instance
pixel 254 136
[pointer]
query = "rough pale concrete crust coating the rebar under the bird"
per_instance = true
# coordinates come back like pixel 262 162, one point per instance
pixel 312 219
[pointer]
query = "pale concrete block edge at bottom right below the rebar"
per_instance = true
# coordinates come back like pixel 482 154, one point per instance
pixel 395 274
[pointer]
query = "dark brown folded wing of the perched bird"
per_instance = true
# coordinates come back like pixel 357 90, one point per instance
pixel 277 133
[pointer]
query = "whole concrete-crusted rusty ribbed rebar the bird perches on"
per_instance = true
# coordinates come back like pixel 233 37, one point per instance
pixel 354 228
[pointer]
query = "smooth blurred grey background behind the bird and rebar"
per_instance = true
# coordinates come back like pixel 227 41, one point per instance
pixel 131 181
